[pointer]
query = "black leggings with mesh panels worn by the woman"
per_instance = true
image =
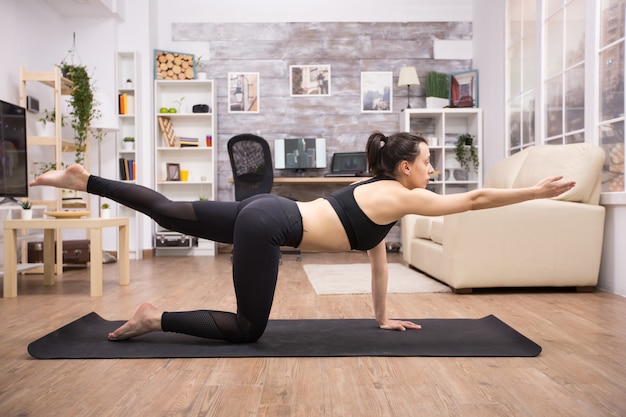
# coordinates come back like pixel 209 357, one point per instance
pixel 256 227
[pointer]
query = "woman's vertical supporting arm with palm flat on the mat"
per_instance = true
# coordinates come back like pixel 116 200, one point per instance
pixel 380 275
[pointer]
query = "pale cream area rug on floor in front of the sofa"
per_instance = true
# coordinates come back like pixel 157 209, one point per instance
pixel 356 279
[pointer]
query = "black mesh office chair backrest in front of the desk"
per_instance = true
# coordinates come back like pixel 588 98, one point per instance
pixel 251 162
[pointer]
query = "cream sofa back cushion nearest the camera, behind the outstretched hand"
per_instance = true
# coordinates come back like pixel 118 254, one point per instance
pixel 580 162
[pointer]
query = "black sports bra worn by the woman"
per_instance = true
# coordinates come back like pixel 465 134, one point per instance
pixel 362 232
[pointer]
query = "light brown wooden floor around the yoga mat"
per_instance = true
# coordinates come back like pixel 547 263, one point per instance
pixel 581 371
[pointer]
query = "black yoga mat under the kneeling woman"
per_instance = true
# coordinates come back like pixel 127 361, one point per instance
pixel 86 338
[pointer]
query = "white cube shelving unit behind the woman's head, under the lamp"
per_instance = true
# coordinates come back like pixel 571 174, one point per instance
pixel 442 127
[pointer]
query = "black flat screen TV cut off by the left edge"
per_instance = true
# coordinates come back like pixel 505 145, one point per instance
pixel 13 162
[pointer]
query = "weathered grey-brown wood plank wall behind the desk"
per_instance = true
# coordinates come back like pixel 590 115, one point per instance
pixel 349 48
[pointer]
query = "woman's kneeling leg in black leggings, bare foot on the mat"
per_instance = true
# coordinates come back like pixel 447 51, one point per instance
pixel 263 224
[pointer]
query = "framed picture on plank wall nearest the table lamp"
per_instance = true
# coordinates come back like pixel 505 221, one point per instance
pixel 376 91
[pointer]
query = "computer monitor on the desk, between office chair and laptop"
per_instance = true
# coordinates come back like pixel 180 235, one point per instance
pixel 300 153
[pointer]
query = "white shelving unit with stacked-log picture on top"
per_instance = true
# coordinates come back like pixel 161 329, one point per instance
pixel 199 162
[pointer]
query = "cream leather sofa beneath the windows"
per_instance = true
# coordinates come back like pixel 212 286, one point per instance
pixel 539 243
